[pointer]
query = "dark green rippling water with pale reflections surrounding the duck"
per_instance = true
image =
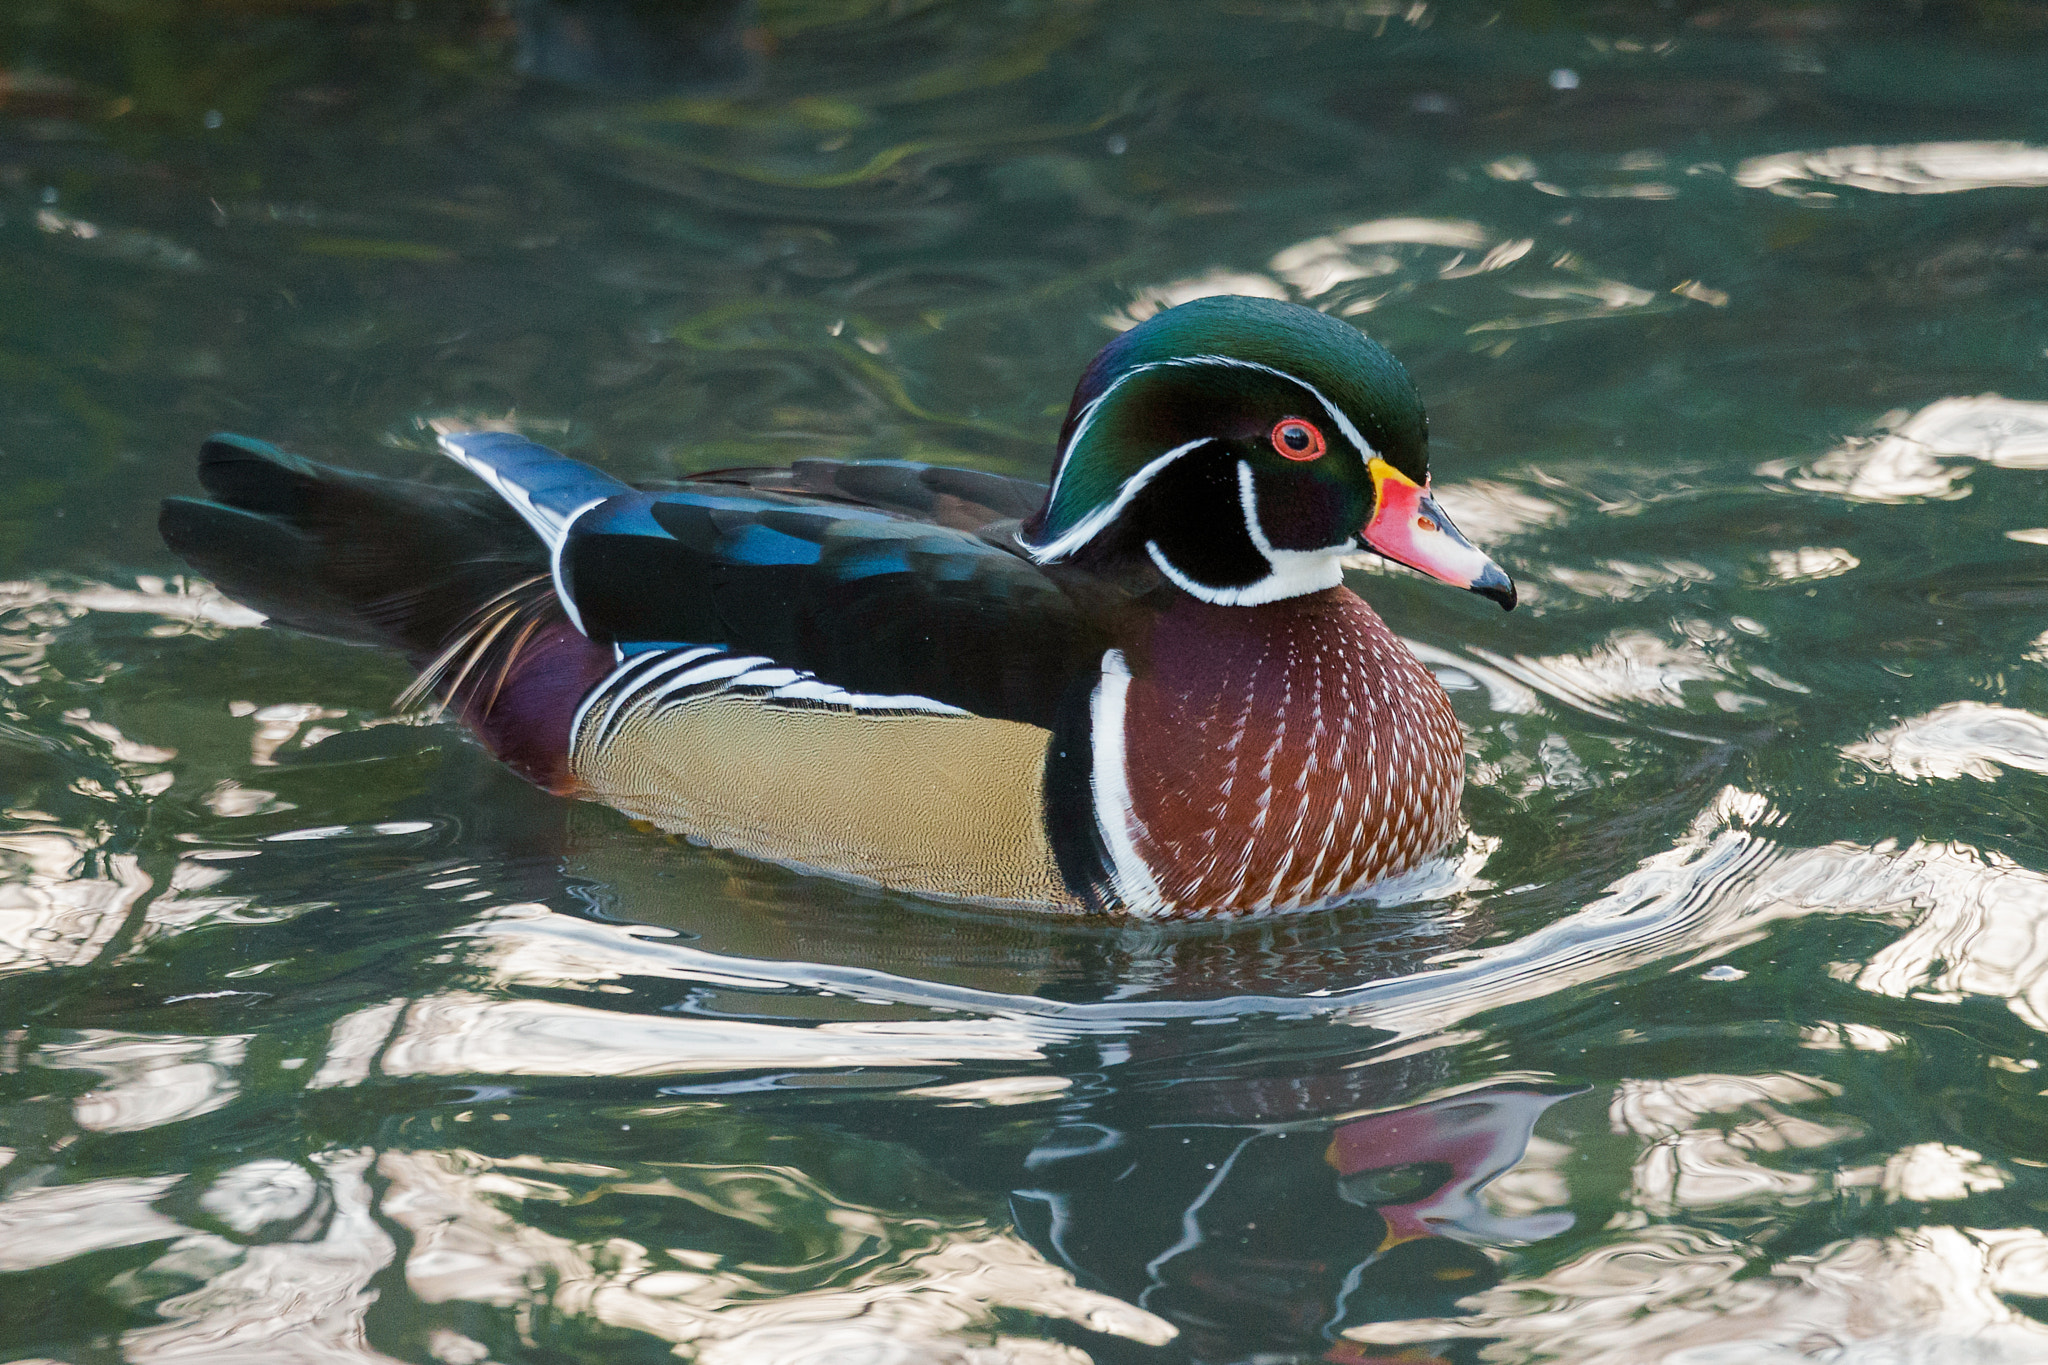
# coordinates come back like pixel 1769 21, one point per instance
pixel 327 1041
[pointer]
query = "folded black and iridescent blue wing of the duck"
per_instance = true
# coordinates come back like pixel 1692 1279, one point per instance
pixel 792 566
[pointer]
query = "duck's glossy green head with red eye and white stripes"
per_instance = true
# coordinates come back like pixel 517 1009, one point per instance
pixel 1246 447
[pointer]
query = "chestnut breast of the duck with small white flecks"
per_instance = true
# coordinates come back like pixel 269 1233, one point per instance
pixel 1285 756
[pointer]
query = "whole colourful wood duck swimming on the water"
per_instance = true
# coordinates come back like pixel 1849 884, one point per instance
pixel 1144 691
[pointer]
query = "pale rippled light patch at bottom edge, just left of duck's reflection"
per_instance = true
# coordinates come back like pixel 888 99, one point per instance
pixel 853 1282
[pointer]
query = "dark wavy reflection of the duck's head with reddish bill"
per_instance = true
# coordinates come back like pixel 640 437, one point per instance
pixel 1267 1241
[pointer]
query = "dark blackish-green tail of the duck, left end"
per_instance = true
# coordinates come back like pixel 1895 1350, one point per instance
pixel 345 556
